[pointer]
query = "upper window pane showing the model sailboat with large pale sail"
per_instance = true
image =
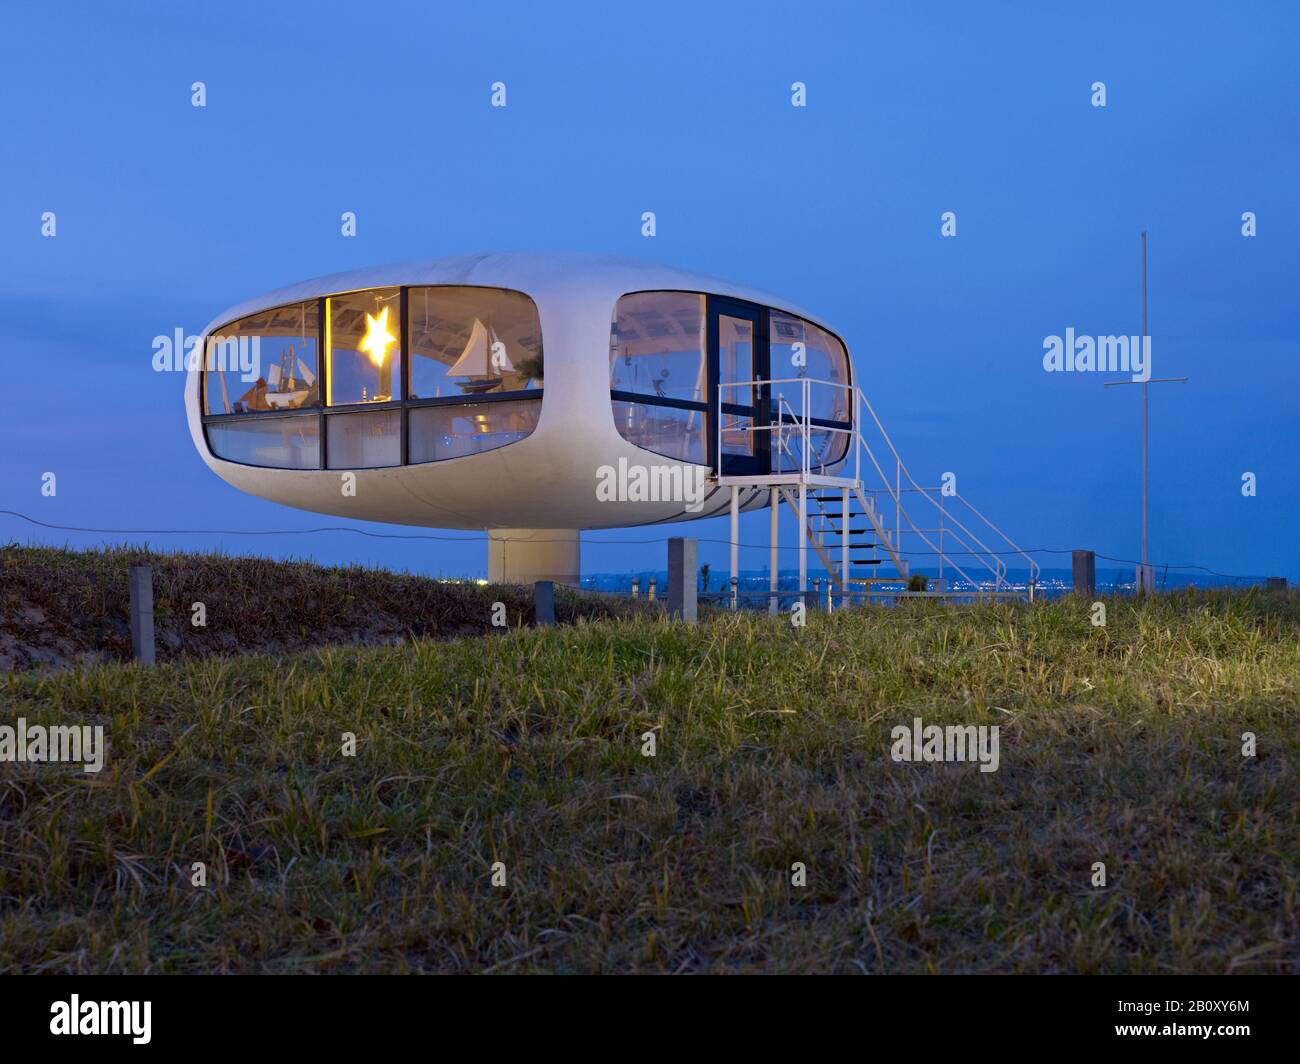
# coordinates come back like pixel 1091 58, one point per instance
pixel 471 341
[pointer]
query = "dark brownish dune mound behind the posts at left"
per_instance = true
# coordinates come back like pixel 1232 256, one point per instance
pixel 62 608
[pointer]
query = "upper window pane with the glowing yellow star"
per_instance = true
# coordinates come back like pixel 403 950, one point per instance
pixel 363 344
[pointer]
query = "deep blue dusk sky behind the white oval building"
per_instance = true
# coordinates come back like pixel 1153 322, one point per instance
pixel 168 214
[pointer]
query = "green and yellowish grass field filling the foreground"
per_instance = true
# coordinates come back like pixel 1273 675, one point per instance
pixel 1120 745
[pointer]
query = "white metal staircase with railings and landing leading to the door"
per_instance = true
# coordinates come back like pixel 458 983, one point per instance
pixel 863 525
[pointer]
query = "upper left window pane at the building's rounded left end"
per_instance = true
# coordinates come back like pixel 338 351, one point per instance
pixel 265 362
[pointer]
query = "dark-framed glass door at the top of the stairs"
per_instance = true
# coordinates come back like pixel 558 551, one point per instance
pixel 738 356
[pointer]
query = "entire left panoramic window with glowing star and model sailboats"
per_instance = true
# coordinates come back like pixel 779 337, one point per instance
pixel 476 379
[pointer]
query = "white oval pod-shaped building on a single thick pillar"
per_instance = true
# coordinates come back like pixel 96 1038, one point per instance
pixel 502 393
